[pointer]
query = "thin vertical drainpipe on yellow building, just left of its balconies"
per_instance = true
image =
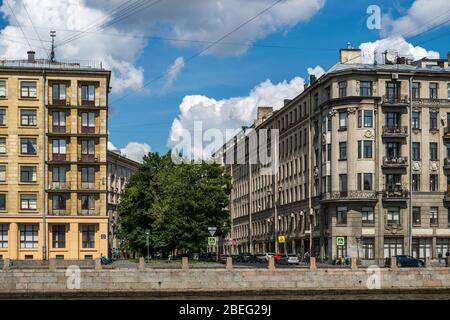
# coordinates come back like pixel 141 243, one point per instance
pixel 44 181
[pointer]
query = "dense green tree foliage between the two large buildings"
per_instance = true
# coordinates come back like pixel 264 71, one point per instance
pixel 176 203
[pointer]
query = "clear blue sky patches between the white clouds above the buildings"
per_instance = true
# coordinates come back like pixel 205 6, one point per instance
pixel 146 116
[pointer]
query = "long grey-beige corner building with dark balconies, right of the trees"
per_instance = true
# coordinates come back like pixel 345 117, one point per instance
pixel 363 166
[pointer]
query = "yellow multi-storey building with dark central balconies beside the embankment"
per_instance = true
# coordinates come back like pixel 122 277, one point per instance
pixel 53 138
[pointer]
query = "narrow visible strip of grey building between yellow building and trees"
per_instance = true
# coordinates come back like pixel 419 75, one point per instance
pixel 120 168
